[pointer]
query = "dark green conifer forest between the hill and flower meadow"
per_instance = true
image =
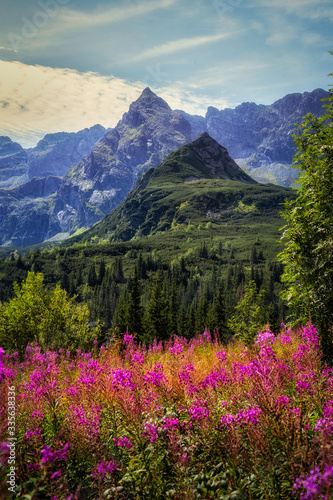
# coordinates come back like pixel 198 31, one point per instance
pixel 152 298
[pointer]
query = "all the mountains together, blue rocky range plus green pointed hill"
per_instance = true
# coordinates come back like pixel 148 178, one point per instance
pixel 69 182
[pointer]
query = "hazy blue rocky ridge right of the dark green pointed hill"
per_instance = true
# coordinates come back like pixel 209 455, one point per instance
pixel 260 137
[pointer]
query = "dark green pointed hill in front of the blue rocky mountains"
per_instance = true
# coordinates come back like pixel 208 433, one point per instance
pixel 194 185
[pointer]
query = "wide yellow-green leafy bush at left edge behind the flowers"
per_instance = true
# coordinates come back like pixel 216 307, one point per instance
pixel 35 315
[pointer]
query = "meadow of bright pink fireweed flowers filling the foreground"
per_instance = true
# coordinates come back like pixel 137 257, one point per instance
pixel 183 419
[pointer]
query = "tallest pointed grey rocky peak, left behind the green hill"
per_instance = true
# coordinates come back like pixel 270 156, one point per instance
pixel 144 137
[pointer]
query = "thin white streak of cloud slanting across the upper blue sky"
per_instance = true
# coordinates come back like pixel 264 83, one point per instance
pixel 179 45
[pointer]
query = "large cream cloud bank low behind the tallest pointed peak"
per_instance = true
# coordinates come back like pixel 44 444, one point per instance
pixel 36 100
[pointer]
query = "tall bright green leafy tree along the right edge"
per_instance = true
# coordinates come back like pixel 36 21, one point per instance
pixel 308 251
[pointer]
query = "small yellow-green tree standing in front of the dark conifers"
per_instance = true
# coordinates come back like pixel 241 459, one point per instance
pixel 250 314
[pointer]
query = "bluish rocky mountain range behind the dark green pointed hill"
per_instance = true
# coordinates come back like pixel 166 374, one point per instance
pixel 71 181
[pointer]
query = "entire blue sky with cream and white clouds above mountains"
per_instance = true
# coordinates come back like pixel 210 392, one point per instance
pixel 69 64
